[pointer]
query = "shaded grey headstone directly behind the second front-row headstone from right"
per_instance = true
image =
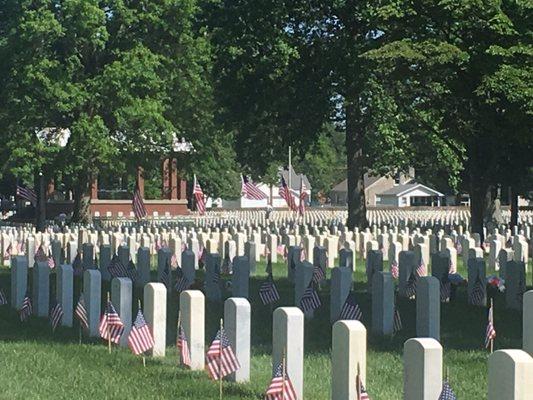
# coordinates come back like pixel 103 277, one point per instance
pixel 428 307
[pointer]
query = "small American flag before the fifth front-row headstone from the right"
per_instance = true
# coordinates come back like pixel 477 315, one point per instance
pixel 220 358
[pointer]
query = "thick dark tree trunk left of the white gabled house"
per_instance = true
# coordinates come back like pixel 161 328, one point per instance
pixel 355 167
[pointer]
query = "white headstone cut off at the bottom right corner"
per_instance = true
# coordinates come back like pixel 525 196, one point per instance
pixel 510 375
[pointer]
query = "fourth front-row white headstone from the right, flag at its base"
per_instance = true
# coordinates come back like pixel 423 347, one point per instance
pixel 288 338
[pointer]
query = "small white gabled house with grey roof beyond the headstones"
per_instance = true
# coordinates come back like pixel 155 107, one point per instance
pixel 409 195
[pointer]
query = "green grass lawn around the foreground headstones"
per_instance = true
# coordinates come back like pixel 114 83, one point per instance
pixel 38 364
